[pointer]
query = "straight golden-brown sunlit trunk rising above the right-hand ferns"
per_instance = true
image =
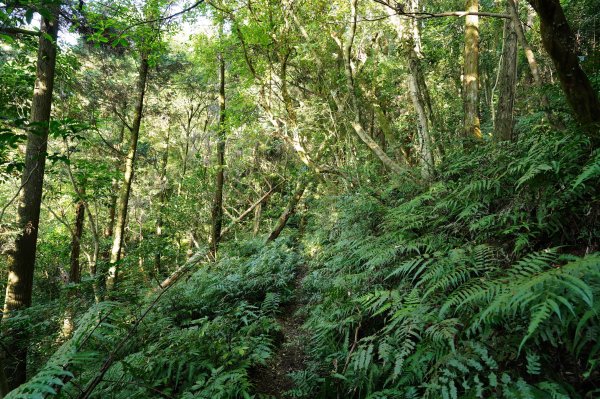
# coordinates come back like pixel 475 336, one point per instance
pixel 471 72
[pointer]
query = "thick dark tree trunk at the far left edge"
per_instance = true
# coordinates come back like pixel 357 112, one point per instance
pixel 21 260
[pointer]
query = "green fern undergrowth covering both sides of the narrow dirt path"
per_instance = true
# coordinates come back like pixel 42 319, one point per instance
pixel 482 283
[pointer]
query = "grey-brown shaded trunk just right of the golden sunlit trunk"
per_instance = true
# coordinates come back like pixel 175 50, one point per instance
pixel 508 80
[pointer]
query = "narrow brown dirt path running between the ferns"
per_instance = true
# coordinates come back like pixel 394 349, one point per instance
pixel 273 379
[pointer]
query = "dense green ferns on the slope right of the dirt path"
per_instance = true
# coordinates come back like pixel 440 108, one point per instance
pixel 484 284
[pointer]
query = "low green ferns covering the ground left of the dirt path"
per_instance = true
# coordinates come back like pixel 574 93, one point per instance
pixel 200 341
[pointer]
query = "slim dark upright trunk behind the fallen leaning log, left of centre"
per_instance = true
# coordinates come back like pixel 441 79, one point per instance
pixel 217 208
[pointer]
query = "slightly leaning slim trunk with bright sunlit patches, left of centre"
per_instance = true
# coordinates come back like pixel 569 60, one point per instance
pixel 123 201
